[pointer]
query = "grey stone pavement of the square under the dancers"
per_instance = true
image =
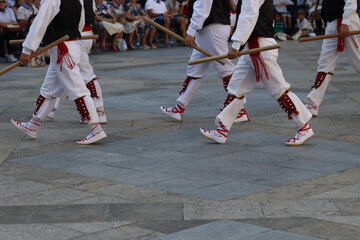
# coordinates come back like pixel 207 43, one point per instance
pixel 155 178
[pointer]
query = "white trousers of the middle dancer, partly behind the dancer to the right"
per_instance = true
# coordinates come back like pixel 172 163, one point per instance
pixel 214 39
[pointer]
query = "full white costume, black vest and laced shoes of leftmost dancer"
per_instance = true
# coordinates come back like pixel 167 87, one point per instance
pixel 55 19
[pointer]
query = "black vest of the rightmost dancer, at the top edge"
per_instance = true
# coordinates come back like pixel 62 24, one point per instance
pixel 332 10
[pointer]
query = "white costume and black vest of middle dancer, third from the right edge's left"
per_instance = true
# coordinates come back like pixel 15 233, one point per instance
pixel 210 24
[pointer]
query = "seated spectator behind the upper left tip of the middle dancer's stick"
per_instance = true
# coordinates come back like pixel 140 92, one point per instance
pixel 134 13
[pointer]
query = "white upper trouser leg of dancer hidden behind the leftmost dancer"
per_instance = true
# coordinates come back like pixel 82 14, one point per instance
pixel 85 67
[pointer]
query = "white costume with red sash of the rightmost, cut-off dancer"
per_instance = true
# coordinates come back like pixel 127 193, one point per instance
pixel 335 12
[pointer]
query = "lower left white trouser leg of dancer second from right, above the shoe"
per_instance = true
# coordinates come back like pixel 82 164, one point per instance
pixel 228 115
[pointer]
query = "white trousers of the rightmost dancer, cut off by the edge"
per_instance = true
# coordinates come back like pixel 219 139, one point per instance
pixel 329 56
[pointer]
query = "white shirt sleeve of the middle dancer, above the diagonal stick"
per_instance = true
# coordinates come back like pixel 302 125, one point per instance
pixel 202 9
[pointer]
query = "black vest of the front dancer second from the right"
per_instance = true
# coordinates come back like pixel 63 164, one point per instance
pixel 264 26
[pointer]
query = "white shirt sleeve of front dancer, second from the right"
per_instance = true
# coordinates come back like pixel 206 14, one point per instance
pixel 246 22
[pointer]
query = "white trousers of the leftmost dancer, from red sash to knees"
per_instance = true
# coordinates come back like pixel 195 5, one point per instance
pixel 65 80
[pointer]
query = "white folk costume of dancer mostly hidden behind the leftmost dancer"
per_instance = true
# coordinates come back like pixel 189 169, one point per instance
pixel 86 69
